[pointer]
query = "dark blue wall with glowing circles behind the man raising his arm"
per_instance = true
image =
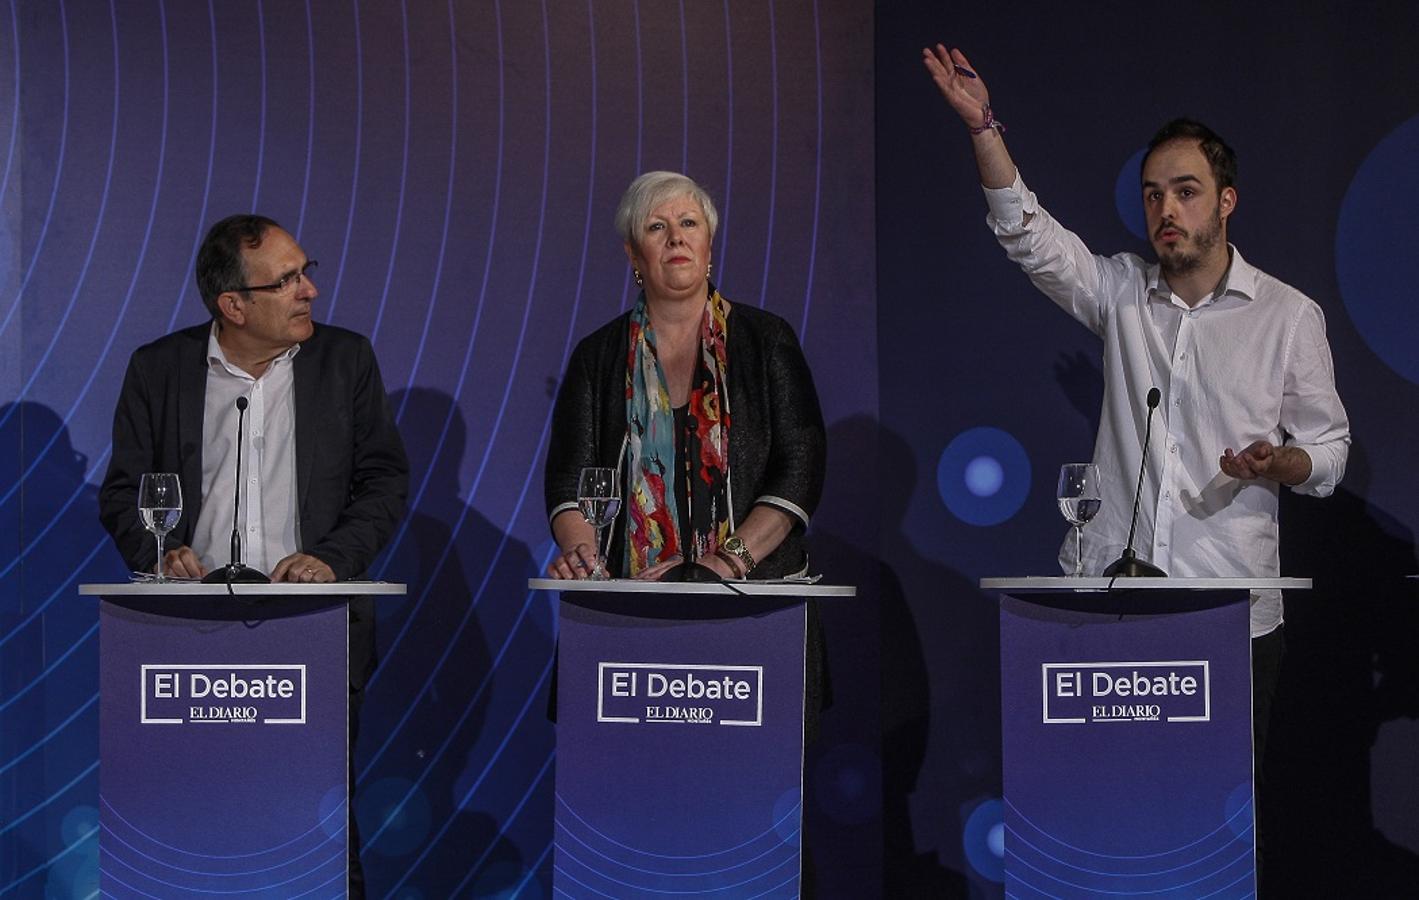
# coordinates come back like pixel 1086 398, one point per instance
pixel 1322 103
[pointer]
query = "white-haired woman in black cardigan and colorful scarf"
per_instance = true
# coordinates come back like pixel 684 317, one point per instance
pixel 706 410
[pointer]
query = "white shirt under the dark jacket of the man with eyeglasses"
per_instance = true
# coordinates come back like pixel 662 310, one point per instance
pixel 269 503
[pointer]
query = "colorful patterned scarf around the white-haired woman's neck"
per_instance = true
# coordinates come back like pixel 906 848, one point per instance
pixel 653 510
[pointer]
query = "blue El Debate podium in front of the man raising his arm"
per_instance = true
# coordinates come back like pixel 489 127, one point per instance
pixel 1127 736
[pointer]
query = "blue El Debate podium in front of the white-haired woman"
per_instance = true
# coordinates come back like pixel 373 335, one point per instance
pixel 680 737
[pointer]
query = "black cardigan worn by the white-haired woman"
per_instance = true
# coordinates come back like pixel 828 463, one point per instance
pixel 778 445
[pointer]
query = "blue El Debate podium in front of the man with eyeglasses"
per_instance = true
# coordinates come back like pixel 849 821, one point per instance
pixel 223 739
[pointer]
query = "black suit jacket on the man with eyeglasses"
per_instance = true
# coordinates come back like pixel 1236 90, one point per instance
pixel 351 469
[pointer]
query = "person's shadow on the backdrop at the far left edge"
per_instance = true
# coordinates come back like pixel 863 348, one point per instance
pixel 50 543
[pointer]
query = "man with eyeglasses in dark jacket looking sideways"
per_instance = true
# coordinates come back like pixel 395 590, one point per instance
pixel 324 469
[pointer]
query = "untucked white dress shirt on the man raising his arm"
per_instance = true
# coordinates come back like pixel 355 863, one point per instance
pixel 1249 363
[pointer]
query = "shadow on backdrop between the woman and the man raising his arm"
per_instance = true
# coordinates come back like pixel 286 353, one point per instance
pixel 939 715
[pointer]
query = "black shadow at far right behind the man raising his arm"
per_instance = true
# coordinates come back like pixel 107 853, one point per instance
pixel 1352 666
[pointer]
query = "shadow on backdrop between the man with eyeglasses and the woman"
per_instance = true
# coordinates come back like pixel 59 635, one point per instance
pixel 460 658
